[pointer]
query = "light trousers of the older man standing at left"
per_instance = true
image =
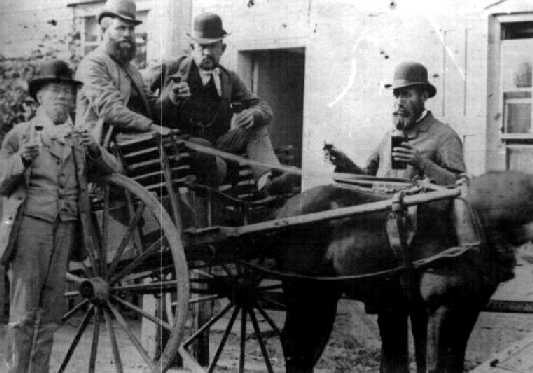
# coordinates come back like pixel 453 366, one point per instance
pixel 37 300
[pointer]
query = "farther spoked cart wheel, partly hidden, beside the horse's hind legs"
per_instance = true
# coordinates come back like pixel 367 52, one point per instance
pixel 245 296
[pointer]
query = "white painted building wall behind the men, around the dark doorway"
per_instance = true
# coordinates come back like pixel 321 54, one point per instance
pixel 346 43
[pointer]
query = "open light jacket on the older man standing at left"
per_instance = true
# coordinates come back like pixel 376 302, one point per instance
pixel 15 182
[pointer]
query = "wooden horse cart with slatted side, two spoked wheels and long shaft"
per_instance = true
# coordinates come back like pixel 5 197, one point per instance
pixel 138 245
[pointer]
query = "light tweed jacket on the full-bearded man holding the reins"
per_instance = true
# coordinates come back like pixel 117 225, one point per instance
pixel 104 96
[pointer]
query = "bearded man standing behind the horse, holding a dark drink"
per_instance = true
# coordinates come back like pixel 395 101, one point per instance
pixel 430 148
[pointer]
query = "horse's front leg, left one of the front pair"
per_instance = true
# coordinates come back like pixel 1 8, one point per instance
pixel 394 348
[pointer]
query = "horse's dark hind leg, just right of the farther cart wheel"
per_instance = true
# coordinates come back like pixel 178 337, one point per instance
pixel 309 319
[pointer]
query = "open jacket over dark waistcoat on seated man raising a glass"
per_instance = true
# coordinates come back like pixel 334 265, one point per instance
pixel 232 88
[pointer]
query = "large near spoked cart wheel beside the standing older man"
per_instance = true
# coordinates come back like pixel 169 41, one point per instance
pixel 134 251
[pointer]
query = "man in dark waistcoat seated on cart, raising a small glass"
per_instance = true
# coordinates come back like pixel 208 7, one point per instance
pixel 211 103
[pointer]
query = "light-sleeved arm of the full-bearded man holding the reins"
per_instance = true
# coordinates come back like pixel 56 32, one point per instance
pixel 105 99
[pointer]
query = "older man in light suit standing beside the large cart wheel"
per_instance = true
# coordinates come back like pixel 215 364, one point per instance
pixel 44 165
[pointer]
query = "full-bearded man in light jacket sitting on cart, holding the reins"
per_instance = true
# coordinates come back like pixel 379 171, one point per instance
pixel 114 93
